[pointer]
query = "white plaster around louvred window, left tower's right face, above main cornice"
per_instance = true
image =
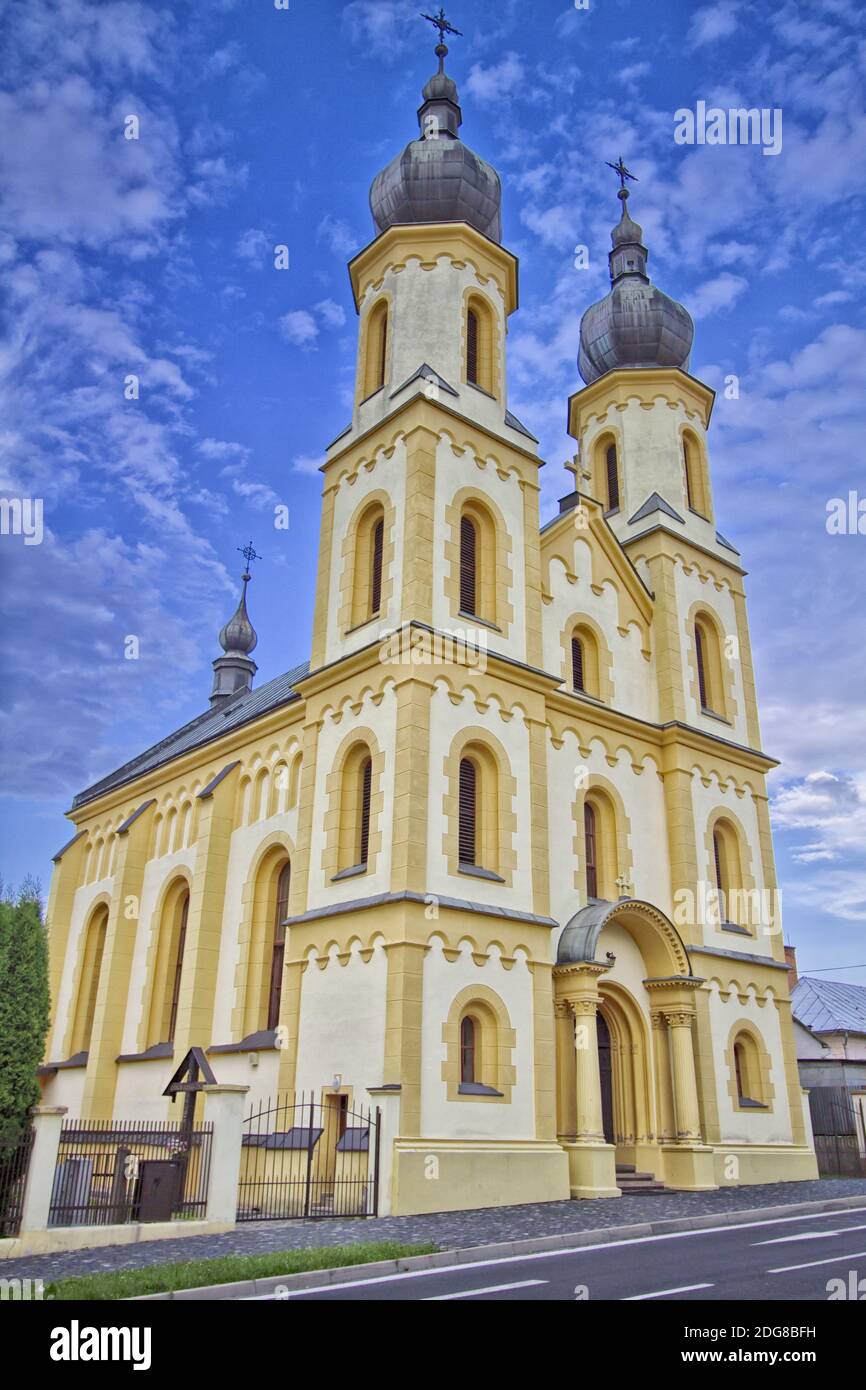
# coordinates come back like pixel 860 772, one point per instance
pixel 458 471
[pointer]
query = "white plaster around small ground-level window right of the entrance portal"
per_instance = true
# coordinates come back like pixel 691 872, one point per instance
pixel 750 1127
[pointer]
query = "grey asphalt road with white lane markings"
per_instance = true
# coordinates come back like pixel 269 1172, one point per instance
pixel 782 1260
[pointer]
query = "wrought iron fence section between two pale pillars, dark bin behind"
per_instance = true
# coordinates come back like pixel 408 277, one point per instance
pixel 131 1171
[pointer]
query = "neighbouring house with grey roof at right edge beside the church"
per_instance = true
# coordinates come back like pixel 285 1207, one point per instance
pixel 831 1036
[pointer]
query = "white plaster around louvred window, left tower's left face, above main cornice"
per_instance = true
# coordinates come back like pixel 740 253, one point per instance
pixel 389 476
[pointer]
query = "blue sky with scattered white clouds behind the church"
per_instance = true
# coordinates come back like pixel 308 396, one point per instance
pixel 262 127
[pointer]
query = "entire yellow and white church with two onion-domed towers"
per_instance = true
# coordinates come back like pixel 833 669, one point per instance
pixel 498 857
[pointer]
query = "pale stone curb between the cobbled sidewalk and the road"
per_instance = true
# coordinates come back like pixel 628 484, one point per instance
pixel 536 1245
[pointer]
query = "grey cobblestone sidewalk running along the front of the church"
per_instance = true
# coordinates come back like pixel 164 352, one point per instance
pixel 448 1231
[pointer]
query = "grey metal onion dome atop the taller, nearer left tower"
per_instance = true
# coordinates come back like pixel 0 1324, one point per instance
pixel 439 179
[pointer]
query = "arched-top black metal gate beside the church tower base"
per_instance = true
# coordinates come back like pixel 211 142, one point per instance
pixel 307 1157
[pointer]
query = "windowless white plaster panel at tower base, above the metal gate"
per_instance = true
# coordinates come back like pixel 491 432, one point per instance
pixel 343 1022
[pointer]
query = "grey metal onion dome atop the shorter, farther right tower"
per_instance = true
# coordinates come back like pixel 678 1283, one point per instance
pixel 636 325
